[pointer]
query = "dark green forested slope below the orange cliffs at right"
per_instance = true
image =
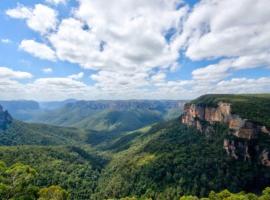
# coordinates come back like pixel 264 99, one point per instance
pixel 172 159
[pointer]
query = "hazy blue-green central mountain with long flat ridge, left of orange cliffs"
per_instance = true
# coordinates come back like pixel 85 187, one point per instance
pixel 111 115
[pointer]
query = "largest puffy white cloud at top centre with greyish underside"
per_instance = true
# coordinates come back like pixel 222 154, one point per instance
pixel 113 39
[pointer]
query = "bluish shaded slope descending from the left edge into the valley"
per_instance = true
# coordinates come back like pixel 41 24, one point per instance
pixel 14 132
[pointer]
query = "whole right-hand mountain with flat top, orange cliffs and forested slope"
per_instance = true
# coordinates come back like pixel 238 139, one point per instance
pixel 172 159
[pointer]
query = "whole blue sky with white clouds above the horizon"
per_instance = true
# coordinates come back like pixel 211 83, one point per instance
pixel 133 49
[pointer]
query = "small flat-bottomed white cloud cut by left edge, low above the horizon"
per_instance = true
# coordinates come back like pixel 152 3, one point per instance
pixel 7 73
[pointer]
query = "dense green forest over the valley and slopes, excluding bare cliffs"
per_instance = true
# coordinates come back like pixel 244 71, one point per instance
pixel 160 161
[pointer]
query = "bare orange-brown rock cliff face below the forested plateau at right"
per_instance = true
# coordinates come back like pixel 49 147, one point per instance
pixel 202 117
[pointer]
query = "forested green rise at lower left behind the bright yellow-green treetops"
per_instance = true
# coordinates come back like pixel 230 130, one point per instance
pixel 72 168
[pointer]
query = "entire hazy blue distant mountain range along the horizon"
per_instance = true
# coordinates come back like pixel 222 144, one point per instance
pixel 103 115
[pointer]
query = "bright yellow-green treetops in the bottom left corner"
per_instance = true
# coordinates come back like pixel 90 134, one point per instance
pixel 18 183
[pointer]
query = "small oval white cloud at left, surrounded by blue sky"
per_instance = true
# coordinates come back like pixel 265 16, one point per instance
pixel 38 49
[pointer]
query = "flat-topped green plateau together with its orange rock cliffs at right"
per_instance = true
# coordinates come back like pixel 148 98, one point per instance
pixel 247 117
